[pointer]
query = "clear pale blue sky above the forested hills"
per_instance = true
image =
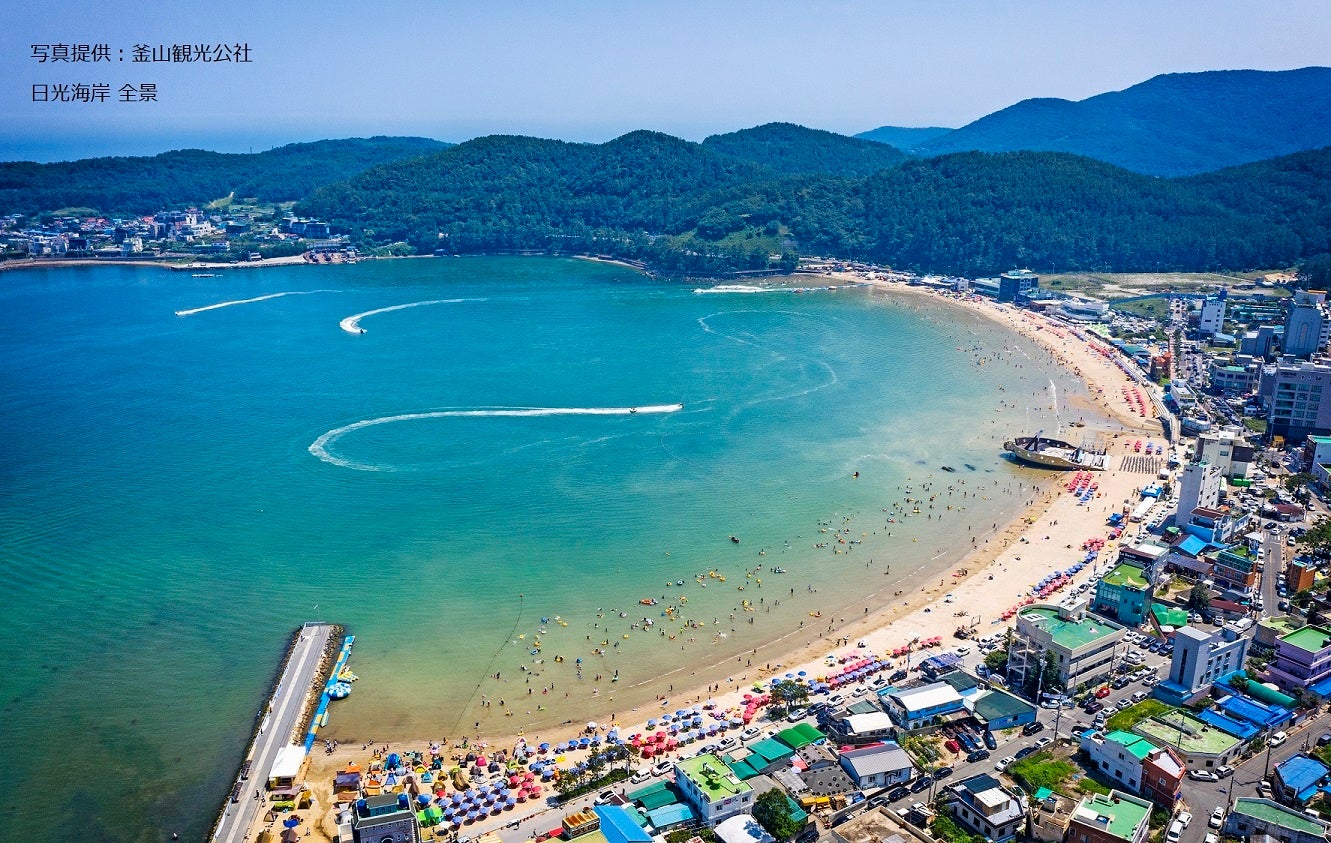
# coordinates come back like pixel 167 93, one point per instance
pixel 593 70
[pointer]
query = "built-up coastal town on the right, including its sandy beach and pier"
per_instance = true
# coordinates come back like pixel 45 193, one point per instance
pixel 1144 656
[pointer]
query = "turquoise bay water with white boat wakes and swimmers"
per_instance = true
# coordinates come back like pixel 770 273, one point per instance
pixel 166 523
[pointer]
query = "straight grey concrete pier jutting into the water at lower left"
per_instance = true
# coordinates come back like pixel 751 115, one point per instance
pixel 284 710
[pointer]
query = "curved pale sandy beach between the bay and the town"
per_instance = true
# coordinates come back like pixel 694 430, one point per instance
pixel 992 576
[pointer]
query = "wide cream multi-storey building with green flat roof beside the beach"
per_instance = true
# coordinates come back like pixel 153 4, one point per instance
pixel 1084 647
